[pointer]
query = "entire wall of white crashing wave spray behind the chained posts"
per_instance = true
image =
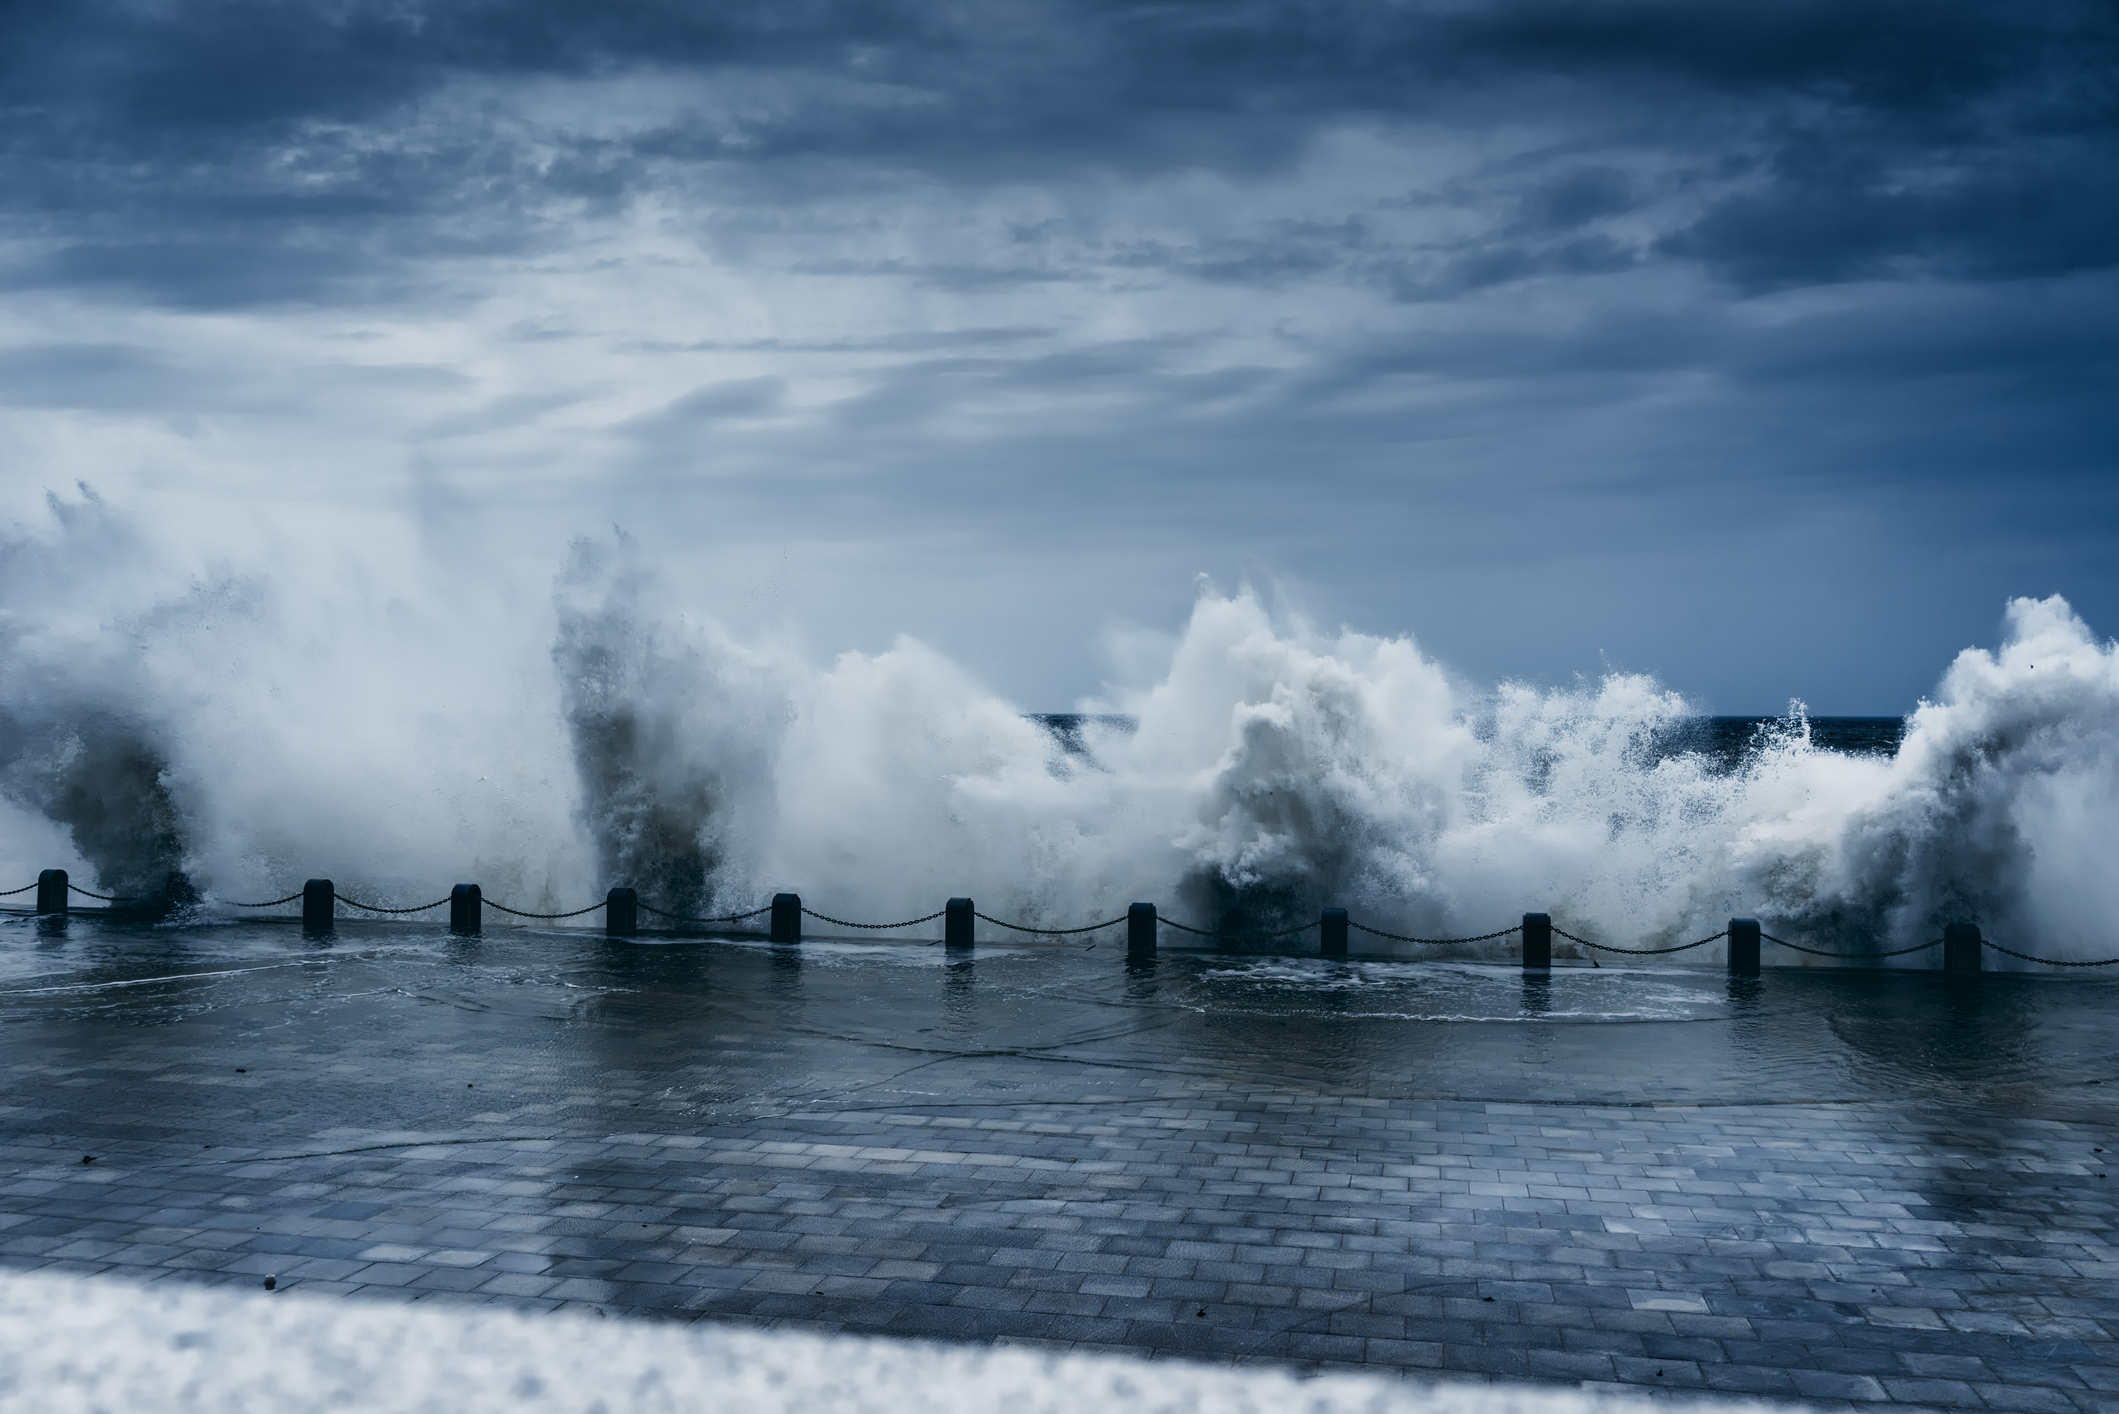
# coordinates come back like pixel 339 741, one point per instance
pixel 262 726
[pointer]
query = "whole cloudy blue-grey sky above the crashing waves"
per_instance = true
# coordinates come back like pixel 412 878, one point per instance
pixel 1760 347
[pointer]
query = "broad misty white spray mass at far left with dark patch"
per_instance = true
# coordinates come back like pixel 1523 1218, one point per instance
pixel 262 724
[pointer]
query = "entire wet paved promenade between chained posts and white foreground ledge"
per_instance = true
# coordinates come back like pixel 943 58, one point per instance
pixel 1821 1188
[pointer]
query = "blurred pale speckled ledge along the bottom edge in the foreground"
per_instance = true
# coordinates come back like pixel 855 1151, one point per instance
pixel 79 1347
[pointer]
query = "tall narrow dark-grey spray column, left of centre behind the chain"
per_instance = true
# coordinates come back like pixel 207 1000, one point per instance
pixel 673 732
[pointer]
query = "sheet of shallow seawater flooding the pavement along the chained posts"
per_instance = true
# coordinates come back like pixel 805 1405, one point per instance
pixel 402 1027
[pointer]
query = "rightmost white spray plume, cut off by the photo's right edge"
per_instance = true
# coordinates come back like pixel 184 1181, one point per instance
pixel 1997 809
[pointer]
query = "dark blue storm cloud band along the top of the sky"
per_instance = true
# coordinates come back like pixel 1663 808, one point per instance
pixel 266 152
